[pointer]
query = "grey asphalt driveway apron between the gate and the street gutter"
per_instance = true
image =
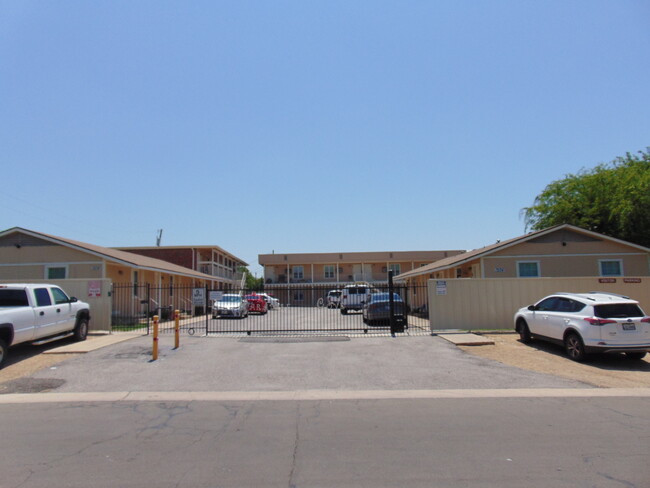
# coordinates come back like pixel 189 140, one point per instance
pixel 277 364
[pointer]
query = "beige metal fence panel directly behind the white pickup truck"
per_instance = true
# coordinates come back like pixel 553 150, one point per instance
pixel 100 306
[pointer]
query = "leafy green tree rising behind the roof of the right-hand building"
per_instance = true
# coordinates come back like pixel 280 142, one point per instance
pixel 612 198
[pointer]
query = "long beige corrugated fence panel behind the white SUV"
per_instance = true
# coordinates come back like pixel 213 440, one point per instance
pixel 473 304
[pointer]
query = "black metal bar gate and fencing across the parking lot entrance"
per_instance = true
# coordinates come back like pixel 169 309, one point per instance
pixel 300 309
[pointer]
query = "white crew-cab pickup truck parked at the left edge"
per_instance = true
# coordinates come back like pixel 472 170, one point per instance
pixel 39 313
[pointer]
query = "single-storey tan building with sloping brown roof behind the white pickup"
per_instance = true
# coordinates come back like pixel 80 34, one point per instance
pixel 110 280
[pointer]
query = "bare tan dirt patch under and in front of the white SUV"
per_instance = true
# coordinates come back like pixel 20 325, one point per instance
pixel 607 371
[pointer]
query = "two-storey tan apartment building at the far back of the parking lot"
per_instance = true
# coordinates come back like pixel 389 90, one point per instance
pixel 336 268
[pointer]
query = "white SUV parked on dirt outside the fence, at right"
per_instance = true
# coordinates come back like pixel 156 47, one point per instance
pixel 585 323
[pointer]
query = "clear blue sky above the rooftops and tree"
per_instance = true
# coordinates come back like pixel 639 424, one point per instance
pixel 309 126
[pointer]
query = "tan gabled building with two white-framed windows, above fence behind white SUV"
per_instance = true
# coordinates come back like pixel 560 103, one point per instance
pixel 560 251
